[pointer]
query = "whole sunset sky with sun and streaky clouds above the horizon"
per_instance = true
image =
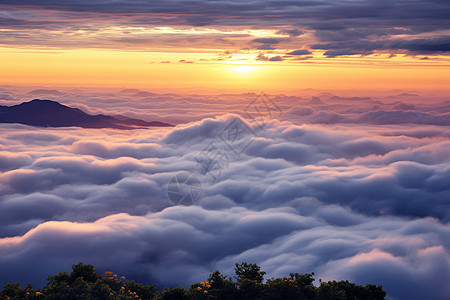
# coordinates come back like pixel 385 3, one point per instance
pixel 252 45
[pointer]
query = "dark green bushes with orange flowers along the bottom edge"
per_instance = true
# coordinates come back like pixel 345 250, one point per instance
pixel 83 283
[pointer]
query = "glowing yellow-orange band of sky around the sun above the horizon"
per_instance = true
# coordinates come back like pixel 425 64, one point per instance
pixel 112 68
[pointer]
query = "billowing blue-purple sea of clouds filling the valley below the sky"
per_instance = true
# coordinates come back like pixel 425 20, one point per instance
pixel 347 187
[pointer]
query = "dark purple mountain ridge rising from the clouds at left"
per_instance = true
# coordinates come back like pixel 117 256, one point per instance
pixel 47 113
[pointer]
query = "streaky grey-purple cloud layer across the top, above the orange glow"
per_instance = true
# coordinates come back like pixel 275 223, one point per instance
pixel 412 27
